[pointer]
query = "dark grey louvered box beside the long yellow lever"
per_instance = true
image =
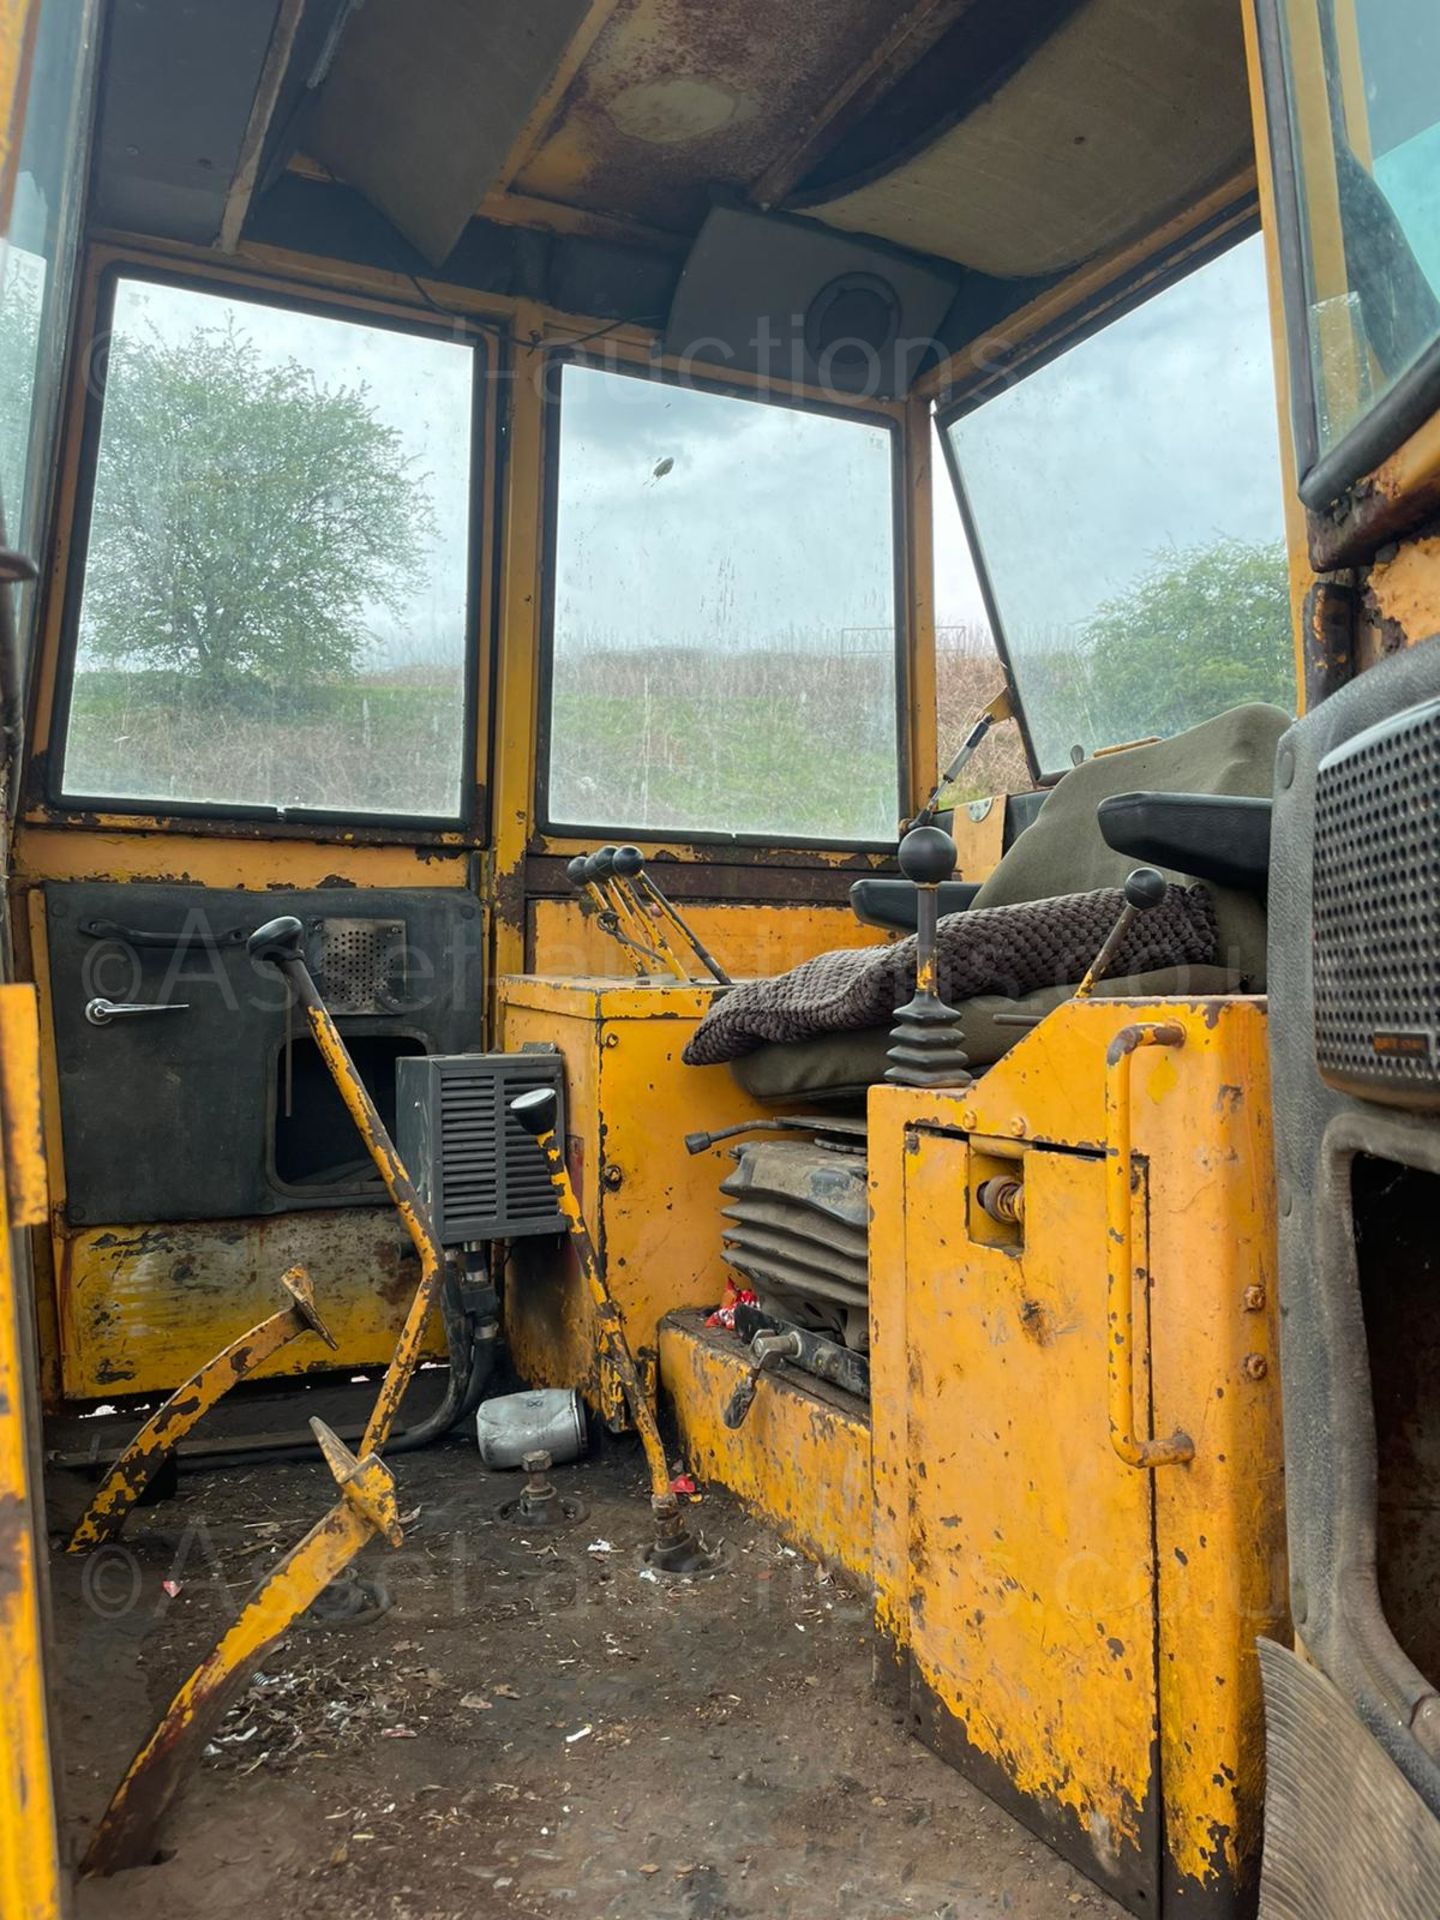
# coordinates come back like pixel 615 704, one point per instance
pixel 471 1161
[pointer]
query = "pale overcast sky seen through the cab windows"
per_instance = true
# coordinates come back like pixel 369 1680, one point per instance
pixel 773 525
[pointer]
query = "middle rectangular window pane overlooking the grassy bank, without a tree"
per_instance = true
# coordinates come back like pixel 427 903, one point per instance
pixel 723 615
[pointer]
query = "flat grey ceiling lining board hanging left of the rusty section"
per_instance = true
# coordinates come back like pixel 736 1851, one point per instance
pixel 425 101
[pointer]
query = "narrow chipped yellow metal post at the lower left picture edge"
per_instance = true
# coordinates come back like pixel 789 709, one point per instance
pixel 30 1854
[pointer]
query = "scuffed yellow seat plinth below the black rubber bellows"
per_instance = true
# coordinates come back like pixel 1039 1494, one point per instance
pixel 802 1462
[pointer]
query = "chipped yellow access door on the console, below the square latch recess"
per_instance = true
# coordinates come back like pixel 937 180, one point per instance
pixel 1030 1543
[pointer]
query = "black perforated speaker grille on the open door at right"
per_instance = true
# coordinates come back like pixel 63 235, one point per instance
pixel 1378 923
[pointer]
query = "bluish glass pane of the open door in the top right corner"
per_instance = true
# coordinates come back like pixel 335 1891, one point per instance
pixel 1366 97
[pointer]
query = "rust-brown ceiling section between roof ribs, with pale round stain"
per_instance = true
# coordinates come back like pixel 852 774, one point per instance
pixel 679 97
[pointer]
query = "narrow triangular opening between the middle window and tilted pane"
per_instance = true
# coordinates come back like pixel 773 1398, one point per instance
pixel 969 671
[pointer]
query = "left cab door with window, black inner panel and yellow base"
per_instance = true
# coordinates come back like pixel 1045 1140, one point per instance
pixel 264 692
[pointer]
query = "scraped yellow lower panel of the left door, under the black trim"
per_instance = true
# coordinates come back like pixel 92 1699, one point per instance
pixel 141 1308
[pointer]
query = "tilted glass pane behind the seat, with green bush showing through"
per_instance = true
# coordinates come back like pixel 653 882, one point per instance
pixel 1130 516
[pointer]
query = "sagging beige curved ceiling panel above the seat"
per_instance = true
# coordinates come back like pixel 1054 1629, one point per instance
pixel 1124 116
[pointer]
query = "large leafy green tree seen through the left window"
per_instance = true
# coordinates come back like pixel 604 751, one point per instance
pixel 247 519
